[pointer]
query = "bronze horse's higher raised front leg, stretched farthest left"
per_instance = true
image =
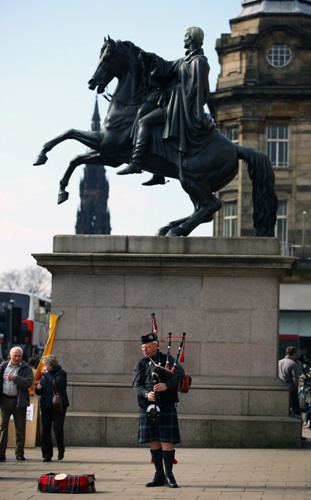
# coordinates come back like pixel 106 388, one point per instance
pixel 90 139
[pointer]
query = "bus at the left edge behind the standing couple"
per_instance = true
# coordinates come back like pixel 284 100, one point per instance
pixel 24 321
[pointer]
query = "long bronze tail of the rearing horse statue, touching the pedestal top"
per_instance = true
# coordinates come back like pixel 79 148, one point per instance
pixel 265 201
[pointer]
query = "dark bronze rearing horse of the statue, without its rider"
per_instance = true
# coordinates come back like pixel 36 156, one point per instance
pixel 201 174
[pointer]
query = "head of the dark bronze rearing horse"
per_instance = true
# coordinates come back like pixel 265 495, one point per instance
pixel 108 67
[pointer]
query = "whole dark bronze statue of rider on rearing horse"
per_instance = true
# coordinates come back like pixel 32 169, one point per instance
pixel 156 122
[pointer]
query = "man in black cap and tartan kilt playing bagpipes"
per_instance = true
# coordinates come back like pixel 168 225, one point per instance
pixel 158 399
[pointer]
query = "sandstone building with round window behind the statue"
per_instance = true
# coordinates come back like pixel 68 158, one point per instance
pixel 263 100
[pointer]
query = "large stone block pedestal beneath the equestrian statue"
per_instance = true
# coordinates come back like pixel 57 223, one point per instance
pixel 223 292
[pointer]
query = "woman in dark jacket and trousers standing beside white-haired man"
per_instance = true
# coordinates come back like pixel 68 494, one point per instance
pixel 52 372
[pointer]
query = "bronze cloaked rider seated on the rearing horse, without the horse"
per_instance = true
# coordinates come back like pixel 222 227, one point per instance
pixel 180 106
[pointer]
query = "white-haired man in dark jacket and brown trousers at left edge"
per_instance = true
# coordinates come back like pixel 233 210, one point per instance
pixel 16 377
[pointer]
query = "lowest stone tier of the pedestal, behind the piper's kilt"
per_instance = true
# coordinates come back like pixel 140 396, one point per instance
pixel 197 431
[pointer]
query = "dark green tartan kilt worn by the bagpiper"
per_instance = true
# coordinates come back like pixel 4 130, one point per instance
pixel 166 432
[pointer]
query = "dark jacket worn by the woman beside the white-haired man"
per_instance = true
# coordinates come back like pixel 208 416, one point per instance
pixel 60 379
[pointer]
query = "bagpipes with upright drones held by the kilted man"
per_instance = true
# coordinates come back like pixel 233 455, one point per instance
pixel 164 373
